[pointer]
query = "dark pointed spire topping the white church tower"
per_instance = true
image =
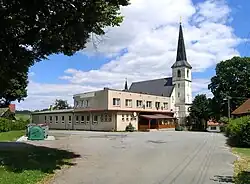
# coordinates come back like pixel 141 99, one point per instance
pixel 181 57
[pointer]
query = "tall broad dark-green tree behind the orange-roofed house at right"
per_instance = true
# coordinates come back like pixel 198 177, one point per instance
pixel 232 79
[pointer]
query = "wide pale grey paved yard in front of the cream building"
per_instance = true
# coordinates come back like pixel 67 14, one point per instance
pixel 146 158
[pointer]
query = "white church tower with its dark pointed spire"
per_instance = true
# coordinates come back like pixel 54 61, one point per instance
pixel 182 79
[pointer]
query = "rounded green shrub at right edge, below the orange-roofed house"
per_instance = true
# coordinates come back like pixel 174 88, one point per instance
pixel 238 131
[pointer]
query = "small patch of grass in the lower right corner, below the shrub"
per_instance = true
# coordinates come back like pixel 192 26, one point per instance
pixel 242 166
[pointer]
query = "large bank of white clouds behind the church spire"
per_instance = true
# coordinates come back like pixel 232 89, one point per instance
pixel 149 36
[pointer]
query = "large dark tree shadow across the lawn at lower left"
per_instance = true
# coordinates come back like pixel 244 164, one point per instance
pixel 17 157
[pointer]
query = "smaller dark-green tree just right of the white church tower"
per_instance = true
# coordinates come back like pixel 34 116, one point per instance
pixel 199 111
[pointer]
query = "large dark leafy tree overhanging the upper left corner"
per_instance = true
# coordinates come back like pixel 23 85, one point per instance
pixel 32 30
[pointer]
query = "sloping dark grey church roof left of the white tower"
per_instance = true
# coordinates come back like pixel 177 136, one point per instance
pixel 159 87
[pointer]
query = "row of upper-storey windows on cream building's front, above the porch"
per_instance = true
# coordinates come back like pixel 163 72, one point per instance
pixel 139 103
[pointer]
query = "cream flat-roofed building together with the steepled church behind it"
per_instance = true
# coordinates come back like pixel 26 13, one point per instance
pixel 152 104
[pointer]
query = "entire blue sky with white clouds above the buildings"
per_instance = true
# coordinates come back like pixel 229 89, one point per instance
pixel 144 47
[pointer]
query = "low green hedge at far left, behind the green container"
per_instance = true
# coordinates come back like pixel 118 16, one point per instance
pixel 8 125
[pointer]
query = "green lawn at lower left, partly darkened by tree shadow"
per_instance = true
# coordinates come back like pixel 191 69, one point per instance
pixel 22 163
